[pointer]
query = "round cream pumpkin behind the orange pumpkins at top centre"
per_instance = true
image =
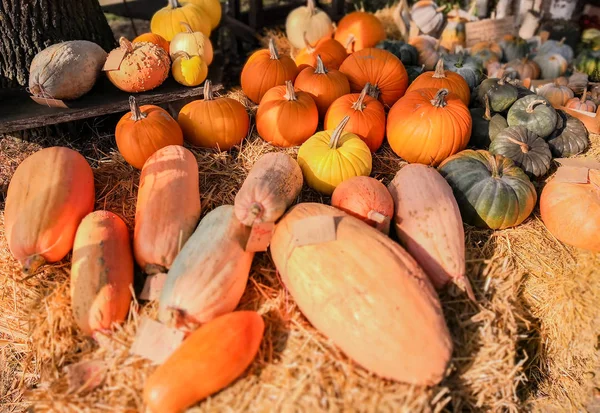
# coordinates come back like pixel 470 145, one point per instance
pixel 307 24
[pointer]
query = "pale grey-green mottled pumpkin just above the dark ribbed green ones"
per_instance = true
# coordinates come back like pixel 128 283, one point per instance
pixel 535 113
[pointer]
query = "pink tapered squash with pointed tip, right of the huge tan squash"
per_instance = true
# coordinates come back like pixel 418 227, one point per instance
pixel 428 222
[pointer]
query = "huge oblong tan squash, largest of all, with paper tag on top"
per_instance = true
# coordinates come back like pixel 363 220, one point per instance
pixel 367 294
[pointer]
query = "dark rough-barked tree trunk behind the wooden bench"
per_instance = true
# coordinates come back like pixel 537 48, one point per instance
pixel 29 26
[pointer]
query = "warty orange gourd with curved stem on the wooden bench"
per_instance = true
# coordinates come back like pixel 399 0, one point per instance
pixel 144 67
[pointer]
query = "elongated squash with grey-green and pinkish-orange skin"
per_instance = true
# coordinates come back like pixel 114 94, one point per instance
pixel 209 275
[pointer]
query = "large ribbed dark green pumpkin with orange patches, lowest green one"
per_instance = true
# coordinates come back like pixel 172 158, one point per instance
pixel 491 191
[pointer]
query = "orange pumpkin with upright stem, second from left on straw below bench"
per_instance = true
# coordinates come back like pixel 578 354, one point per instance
pixel 214 122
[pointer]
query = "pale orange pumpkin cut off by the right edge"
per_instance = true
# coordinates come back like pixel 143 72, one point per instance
pixel 571 211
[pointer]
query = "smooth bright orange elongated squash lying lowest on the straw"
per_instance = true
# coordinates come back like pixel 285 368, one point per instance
pixel 203 364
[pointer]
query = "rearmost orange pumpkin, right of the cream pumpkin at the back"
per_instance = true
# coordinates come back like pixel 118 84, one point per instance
pixel 359 30
